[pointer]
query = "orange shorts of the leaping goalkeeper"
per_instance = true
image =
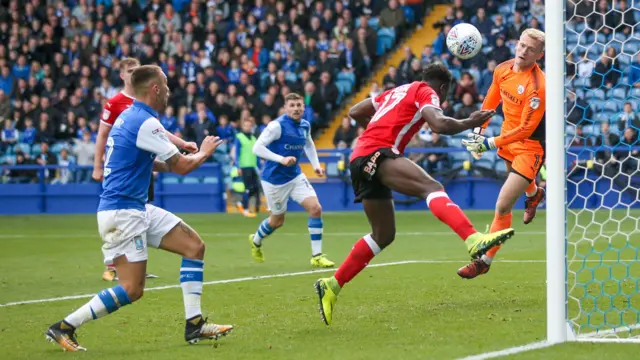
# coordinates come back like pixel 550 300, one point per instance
pixel 526 157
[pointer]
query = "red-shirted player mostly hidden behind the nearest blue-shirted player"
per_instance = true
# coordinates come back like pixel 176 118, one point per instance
pixel 112 109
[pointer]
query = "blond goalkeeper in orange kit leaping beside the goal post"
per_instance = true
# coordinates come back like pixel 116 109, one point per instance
pixel 520 85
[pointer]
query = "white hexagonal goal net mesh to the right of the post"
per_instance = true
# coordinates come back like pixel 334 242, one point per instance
pixel 602 117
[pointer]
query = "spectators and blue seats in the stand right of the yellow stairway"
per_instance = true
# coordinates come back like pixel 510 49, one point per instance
pixel 603 68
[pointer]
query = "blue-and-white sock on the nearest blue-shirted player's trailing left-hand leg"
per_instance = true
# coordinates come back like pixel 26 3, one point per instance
pixel 106 302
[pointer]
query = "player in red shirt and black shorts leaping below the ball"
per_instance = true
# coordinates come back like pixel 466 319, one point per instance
pixel 378 168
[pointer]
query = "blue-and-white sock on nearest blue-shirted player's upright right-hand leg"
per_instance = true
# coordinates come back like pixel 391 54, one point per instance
pixel 191 276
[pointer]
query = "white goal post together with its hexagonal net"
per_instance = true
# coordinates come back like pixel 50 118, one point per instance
pixel 593 217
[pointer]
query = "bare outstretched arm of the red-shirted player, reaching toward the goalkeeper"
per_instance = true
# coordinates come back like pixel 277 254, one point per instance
pixel 445 125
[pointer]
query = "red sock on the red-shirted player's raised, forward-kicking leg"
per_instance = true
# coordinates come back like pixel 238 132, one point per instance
pixel 449 213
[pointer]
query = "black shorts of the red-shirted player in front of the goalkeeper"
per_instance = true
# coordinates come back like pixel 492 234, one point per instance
pixel 363 170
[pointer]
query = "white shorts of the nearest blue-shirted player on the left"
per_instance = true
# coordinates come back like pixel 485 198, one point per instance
pixel 128 232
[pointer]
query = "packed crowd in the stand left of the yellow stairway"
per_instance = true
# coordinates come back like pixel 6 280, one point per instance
pixel 225 61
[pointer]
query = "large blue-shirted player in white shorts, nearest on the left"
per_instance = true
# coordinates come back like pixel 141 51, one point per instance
pixel 128 225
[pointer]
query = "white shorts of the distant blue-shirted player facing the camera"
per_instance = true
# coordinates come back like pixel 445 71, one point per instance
pixel 277 196
